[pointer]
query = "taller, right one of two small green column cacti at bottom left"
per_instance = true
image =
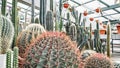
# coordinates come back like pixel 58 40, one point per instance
pixel 15 57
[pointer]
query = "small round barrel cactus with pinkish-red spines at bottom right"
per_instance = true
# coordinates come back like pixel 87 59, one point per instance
pixel 98 60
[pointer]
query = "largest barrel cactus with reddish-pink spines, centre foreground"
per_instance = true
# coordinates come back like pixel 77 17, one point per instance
pixel 51 50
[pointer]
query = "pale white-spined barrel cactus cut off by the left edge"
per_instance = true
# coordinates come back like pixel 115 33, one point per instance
pixel 6 34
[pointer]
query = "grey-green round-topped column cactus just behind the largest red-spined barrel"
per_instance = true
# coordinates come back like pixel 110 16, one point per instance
pixel 49 21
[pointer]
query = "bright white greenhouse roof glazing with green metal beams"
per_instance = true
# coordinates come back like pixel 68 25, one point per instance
pixel 110 8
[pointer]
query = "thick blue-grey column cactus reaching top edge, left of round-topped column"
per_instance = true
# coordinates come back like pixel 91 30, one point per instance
pixel 42 14
